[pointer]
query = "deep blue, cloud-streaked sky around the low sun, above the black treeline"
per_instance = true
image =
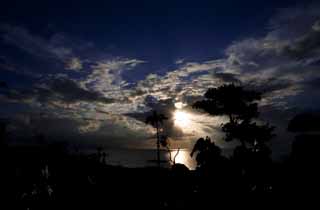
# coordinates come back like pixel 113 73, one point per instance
pixel 89 72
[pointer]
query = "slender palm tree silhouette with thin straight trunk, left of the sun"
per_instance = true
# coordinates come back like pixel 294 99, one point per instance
pixel 156 121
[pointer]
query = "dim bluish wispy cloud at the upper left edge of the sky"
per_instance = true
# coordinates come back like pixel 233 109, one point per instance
pixel 58 50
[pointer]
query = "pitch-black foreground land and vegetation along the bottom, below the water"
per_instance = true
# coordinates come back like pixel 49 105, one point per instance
pixel 50 178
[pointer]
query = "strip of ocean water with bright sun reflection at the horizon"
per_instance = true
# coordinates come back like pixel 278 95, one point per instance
pixel 134 158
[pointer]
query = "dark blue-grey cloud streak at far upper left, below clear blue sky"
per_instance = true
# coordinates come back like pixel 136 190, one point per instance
pixel 37 53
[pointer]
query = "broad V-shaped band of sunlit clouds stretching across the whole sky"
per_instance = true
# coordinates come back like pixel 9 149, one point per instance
pixel 283 64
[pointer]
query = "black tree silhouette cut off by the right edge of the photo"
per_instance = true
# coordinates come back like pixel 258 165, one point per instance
pixel 304 157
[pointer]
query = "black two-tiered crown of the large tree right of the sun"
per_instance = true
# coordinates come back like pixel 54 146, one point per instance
pixel 241 107
